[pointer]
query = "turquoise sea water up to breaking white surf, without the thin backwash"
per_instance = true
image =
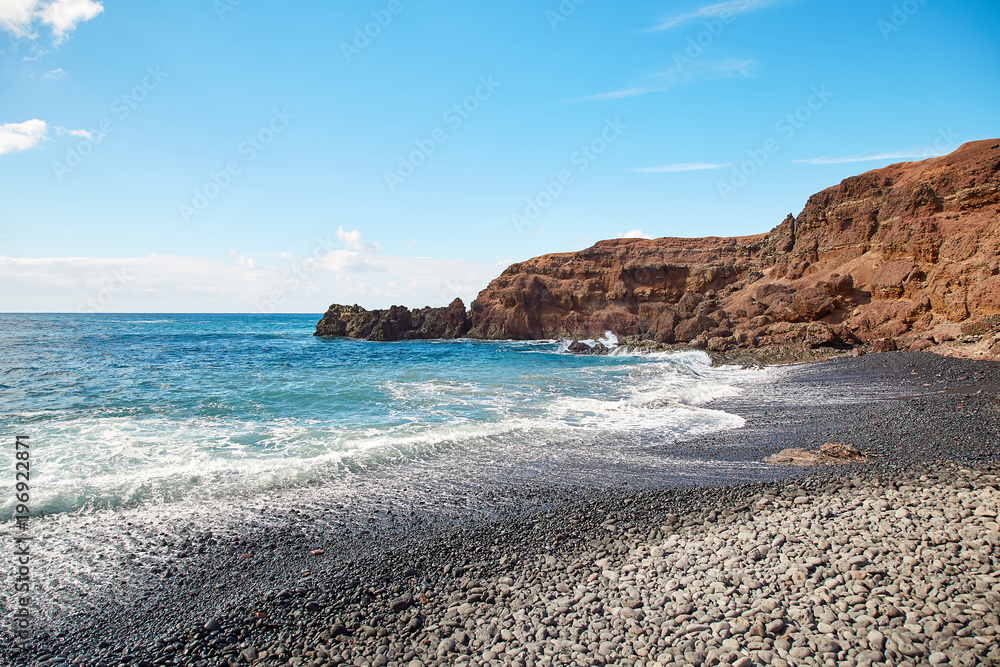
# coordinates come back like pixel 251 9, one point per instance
pixel 128 410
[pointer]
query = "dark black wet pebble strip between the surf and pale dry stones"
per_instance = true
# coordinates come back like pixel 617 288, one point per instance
pixel 500 531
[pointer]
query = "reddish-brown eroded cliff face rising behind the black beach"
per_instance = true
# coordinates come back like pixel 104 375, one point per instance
pixel 897 258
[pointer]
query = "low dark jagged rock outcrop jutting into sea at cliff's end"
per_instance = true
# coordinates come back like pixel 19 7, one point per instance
pixel 396 323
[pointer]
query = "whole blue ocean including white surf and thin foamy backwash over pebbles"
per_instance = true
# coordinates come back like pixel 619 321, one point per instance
pixel 147 431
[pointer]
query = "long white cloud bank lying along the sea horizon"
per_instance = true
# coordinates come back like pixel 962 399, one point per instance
pixel 303 283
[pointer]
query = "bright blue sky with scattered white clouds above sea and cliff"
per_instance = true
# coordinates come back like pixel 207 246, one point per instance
pixel 264 156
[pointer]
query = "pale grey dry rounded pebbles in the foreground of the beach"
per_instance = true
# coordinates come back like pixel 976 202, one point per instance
pixel 878 571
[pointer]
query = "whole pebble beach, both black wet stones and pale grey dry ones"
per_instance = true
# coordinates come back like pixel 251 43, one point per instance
pixel 538 570
